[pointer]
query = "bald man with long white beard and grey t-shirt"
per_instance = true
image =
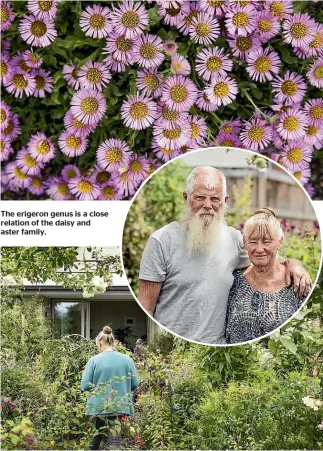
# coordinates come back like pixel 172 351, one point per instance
pixel 187 265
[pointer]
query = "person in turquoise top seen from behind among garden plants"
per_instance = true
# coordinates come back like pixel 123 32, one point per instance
pixel 110 377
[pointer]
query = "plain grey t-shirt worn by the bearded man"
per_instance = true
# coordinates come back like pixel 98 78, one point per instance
pixel 195 287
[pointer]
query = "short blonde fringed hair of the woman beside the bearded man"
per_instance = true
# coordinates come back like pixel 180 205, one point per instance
pixel 262 224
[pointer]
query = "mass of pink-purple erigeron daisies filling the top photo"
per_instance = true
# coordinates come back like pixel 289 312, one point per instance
pixel 181 92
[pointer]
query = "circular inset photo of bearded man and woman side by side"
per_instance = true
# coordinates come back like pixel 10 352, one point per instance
pixel 221 246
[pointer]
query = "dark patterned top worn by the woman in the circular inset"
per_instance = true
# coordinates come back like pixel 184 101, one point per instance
pixel 252 314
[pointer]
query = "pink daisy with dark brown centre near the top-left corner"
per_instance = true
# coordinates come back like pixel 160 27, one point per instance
pixel 37 32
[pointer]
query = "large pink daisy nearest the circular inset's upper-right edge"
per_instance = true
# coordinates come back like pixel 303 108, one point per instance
pixel 296 156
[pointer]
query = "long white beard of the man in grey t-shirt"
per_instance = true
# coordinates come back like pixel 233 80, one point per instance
pixel 203 230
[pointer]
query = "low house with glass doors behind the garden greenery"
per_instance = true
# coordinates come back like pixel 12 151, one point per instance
pixel 69 313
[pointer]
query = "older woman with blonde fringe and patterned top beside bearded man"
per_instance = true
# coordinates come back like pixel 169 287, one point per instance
pixel 259 299
